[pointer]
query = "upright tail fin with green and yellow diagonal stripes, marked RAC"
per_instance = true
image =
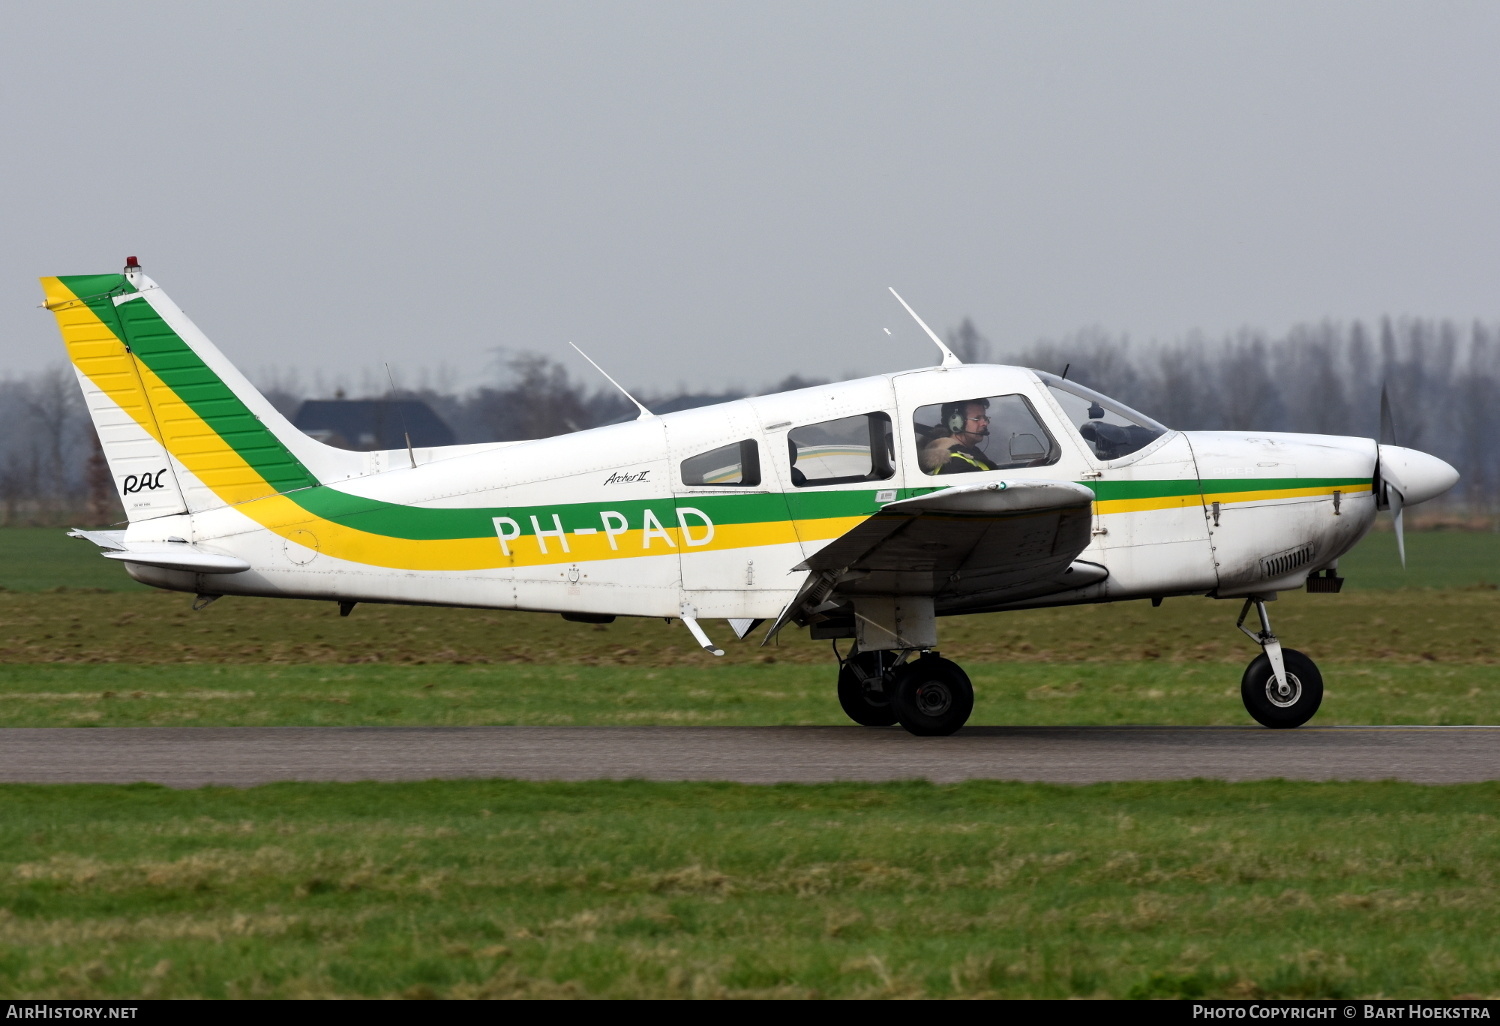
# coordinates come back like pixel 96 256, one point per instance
pixel 182 430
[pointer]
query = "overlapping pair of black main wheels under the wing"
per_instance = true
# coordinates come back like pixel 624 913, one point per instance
pixel 931 697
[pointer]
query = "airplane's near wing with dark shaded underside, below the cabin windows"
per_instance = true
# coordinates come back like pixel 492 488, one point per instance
pixel 968 547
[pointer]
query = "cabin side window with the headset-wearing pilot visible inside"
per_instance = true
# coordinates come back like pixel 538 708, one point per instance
pixel 982 434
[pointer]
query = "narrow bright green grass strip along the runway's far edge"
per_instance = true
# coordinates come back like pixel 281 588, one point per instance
pixel 755 695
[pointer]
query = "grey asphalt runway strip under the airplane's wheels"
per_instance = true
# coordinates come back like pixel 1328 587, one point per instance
pixel 244 757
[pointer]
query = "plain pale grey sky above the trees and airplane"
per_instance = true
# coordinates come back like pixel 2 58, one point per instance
pixel 719 194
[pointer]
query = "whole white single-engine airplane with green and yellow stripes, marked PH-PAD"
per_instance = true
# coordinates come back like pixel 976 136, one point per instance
pixel 863 511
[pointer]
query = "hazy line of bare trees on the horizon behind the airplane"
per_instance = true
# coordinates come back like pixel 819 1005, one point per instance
pixel 1442 380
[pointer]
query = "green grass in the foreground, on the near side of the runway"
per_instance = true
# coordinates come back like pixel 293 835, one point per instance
pixel 496 889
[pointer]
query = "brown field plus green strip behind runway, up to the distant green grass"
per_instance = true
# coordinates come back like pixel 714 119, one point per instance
pixel 121 659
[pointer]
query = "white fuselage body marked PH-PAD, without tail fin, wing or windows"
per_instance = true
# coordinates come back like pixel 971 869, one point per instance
pixel 602 521
